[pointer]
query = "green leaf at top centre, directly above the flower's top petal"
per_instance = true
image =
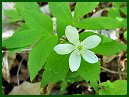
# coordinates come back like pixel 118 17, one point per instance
pixel 63 15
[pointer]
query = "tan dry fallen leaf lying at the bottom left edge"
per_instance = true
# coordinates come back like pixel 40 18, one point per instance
pixel 26 88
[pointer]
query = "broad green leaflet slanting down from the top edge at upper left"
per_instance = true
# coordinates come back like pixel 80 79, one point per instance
pixel 34 18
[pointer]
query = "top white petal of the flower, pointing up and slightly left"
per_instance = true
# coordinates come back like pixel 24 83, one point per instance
pixel 72 34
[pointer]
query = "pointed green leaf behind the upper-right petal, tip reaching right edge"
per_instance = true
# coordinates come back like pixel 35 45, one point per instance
pixel 107 47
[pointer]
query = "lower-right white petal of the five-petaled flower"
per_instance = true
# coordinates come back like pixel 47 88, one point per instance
pixel 89 56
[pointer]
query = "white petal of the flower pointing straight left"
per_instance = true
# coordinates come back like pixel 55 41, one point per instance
pixel 63 48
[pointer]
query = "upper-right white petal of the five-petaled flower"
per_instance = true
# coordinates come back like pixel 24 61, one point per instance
pixel 92 41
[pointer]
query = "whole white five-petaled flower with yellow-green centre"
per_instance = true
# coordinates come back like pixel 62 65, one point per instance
pixel 77 48
